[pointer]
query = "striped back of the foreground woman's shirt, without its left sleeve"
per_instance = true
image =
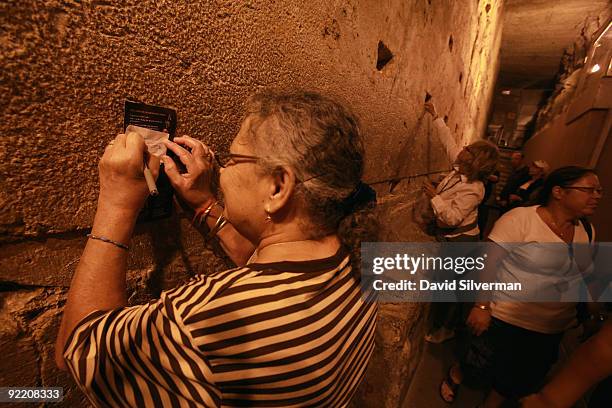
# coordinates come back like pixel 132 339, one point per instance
pixel 283 337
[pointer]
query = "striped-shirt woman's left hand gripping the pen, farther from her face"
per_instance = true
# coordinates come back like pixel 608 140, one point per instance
pixel 122 183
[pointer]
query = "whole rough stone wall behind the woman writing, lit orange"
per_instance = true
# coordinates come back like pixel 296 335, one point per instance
pixel 68 65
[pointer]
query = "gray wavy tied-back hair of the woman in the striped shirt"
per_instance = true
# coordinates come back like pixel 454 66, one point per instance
pixel 320 140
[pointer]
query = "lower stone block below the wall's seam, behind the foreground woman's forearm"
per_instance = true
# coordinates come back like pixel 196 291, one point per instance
pixel 163 253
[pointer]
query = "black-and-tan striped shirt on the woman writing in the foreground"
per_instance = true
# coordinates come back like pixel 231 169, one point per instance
pixel 264 335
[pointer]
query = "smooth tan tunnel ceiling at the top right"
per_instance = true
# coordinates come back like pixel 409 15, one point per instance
pixel 535 34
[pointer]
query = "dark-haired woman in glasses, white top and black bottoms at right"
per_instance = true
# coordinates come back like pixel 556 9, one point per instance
pixel 523 337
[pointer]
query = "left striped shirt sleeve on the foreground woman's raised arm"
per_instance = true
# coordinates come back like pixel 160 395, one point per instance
pixel 140 356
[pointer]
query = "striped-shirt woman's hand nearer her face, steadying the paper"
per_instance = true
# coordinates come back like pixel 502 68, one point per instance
pixel 195 186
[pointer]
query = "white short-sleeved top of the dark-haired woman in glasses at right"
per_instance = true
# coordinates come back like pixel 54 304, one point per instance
pixel 545 271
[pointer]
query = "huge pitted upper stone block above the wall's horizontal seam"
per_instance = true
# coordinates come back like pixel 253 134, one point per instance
pixel 68 67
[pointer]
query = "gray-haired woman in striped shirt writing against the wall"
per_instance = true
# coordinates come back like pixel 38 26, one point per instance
pixel 290 327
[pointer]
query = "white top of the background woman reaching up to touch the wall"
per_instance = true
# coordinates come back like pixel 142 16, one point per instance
pixel 457 199
